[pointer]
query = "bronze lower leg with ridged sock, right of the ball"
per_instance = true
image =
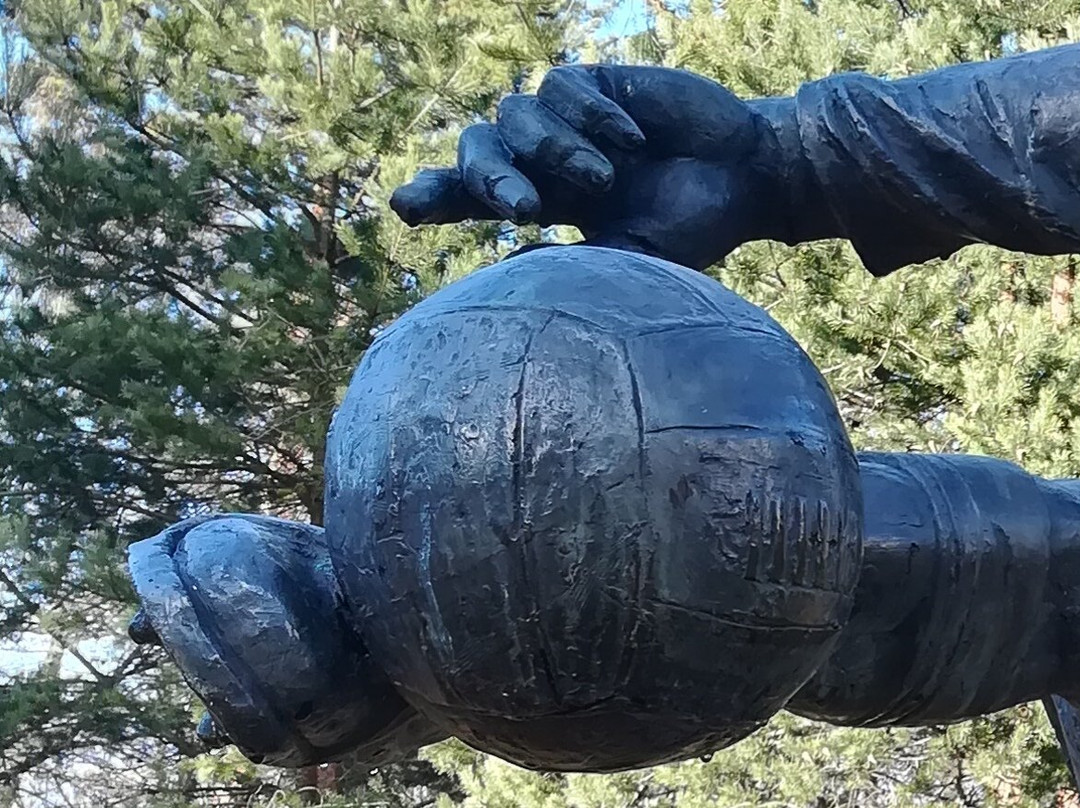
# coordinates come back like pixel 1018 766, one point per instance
pixel 962 607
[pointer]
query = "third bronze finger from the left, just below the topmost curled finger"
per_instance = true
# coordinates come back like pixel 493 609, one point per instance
pixel 542 140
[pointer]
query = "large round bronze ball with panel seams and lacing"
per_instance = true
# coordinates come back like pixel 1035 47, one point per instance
pixel 562 491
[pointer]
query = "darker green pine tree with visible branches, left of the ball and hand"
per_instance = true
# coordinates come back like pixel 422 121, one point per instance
pixel 196 251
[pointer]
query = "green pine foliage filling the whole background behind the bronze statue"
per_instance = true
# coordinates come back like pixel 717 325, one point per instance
pixel 196 250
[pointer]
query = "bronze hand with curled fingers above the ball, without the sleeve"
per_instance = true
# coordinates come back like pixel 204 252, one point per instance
pixel 646 158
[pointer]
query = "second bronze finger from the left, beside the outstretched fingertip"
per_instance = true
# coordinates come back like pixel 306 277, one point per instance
pixel 490 176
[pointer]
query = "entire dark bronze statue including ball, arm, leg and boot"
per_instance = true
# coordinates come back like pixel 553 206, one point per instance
pixel 589 510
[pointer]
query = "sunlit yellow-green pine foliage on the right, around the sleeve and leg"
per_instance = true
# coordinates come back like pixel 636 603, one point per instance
pixel 970 355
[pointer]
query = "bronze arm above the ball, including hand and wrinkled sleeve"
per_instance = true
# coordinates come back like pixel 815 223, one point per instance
pixel 669 164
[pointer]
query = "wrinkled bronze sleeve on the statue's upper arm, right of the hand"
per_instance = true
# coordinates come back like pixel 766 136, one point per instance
pixel 916 169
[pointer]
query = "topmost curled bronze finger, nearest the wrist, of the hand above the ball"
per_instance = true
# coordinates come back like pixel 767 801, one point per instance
pixel 575 97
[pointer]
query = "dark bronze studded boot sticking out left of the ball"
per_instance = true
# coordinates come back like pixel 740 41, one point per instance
pixel 248 609
